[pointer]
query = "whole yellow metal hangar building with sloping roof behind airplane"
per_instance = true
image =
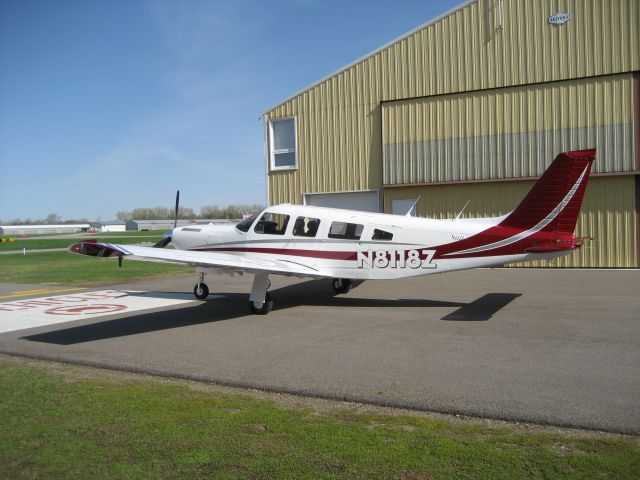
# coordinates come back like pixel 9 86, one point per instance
pixel 473 106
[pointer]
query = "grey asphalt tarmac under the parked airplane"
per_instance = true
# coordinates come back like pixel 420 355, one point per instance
pixel 558 347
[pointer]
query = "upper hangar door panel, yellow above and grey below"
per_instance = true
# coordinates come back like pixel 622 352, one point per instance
pixel 508 132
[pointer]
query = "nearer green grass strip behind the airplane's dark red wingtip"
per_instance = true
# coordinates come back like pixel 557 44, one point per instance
pixel 68 269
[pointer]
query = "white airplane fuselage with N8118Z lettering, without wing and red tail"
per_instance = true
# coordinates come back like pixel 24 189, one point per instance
pixel 410 250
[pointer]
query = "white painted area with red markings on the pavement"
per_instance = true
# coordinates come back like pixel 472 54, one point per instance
pixel 37 312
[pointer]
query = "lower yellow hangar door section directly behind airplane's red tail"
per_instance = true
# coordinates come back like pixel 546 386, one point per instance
pixel 608 214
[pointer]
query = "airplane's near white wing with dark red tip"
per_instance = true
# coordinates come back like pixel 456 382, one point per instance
pixel 226 261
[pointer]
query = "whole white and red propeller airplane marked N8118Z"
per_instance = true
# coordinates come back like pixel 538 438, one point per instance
pixel 345 245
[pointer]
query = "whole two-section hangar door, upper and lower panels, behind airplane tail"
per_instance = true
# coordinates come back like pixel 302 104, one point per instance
pixel 457 147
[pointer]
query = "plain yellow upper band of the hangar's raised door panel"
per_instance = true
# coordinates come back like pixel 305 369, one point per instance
pixel 568 104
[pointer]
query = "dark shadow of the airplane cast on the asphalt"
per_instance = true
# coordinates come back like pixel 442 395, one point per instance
pixel 227 306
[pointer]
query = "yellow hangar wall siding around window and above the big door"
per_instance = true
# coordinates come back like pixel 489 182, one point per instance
pixel 339 144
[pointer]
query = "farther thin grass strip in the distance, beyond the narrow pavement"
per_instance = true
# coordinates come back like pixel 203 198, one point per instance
pixel 37 243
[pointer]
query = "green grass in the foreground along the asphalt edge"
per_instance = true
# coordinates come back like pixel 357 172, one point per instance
pixel 57 423
